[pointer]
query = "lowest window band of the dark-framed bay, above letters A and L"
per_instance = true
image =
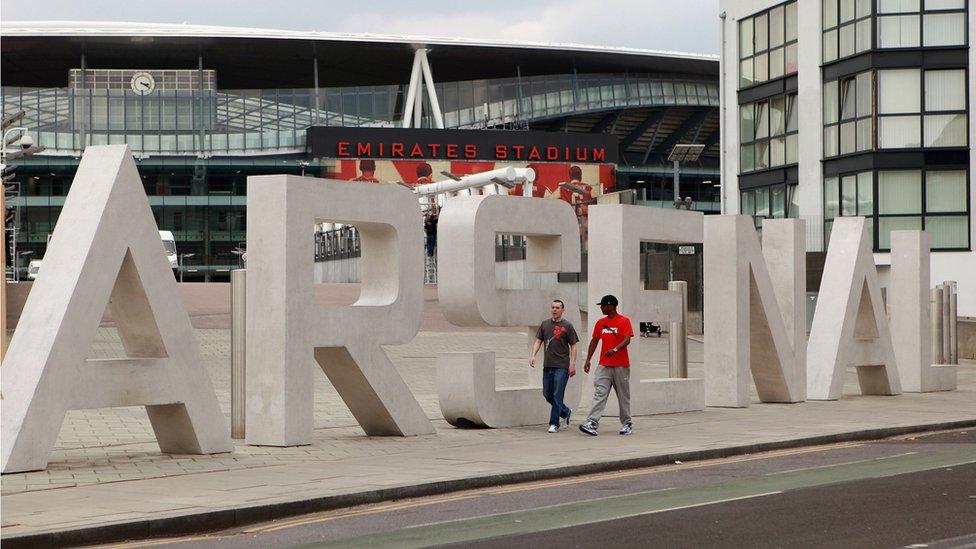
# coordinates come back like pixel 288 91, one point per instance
pixel 933 200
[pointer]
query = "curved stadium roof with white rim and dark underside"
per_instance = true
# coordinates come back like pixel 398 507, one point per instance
pixel 40 54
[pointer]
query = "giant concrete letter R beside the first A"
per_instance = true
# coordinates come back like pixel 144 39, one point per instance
pixel 287 332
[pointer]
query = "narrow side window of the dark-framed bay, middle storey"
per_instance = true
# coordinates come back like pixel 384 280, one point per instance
pixel 848 115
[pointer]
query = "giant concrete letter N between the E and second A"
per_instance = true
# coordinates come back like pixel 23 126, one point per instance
pixel 755 310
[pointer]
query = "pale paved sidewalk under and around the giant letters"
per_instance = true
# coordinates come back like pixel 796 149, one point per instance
pixel 107 476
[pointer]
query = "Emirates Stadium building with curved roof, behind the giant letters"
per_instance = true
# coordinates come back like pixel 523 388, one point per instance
pixel 202 108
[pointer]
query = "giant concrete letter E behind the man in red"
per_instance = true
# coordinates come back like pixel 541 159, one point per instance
pixel 616 231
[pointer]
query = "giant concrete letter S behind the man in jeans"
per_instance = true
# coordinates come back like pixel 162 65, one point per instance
pixel 469 297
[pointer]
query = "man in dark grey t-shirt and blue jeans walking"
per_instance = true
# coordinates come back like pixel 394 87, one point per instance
pixel 559 338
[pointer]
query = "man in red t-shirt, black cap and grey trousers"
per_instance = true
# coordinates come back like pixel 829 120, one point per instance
pixel 613 369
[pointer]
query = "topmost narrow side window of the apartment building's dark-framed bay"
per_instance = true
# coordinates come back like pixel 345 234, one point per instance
pixel 847 28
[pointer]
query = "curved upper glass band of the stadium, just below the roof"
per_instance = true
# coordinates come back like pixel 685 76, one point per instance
pixel 215 122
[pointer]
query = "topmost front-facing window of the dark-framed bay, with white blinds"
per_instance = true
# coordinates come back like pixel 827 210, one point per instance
pixel 928 23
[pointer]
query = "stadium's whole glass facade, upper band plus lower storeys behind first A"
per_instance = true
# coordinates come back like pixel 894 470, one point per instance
pixel 195 145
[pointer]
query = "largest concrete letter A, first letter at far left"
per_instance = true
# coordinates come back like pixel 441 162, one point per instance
pixel 106 250
